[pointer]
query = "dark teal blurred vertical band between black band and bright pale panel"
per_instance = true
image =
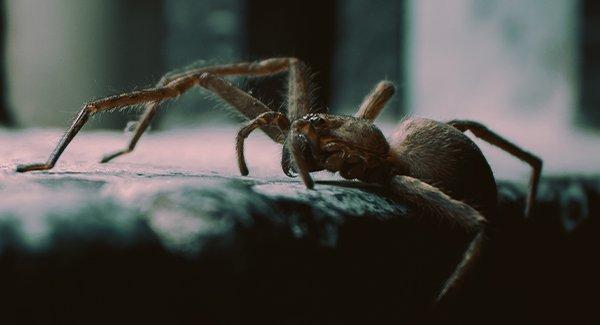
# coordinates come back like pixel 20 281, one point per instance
pixel 369 48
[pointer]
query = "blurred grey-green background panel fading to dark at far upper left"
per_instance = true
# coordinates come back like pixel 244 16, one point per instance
pixel 62 53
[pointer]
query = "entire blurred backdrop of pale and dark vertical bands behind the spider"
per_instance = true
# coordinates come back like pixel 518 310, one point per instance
pixel 529 69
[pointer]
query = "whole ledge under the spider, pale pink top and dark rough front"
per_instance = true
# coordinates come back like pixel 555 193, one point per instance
pixel 171 233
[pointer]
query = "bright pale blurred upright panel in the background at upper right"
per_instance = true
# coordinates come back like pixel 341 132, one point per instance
pixel 489 58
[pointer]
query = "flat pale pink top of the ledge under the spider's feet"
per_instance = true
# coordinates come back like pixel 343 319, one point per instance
pixel 211 150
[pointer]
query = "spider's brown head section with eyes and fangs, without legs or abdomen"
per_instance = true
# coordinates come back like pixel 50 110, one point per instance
pixel 336 143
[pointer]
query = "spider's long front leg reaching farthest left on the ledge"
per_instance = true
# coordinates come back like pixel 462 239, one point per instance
pixel 231 94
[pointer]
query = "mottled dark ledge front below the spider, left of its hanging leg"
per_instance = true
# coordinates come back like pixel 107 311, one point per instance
pixel 222 250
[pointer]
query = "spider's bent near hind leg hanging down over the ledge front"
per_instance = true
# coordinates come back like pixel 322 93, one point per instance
pixel 435 203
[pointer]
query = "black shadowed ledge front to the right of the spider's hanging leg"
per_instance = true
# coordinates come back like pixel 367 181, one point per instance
pixel 541 269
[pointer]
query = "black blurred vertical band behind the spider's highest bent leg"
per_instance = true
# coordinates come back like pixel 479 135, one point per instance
pixel 303 29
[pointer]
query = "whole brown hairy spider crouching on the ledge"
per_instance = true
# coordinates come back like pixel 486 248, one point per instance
pixel 429 164
